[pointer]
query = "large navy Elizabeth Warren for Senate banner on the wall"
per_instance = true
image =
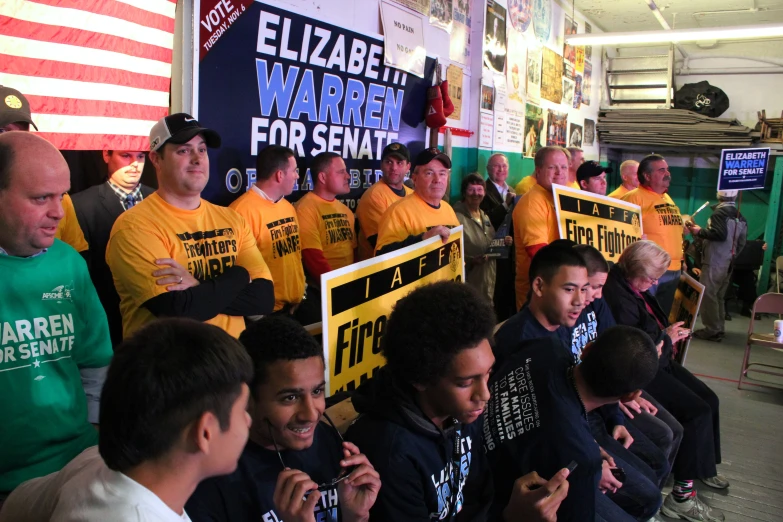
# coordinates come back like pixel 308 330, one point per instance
pixel 277 77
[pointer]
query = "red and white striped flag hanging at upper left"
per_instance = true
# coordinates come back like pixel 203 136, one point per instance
pixel 97 73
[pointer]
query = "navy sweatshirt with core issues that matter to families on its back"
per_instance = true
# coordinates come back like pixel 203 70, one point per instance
pixel 535 422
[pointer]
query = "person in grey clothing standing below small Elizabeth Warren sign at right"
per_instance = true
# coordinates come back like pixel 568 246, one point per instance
pixel 724 237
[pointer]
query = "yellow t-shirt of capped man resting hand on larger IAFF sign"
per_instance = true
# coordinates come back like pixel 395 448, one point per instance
pixel 412 216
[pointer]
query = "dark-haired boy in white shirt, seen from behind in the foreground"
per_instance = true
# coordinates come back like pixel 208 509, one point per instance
pixel 173 412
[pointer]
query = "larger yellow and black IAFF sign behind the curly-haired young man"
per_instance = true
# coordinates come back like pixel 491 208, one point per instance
pixel 358 299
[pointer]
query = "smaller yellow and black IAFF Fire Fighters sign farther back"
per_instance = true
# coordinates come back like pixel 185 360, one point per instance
pixel 605 223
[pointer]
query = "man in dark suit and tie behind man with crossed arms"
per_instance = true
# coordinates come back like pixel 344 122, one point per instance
pixel 96 209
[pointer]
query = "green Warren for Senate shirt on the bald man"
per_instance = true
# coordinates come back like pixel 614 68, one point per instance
pixel 51 325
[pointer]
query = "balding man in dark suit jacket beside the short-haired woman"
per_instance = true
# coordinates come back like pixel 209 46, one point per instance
pixel 497 203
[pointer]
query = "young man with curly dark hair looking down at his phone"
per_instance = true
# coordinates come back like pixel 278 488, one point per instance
pixel 420 415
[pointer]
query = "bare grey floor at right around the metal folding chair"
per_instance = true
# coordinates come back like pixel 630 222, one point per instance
pixel 751 425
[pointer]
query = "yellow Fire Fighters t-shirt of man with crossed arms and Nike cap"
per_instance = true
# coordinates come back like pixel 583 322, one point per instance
pixel 205 241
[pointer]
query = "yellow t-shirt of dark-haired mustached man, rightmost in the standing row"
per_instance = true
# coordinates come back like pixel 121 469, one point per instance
pixel 661 221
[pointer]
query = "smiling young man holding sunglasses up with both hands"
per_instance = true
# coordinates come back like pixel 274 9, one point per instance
pixel 294 467
